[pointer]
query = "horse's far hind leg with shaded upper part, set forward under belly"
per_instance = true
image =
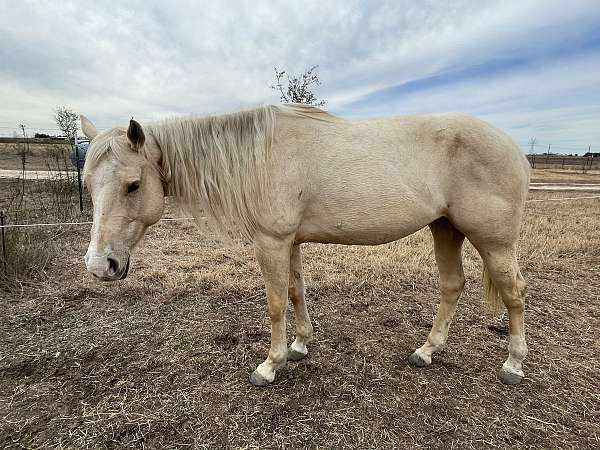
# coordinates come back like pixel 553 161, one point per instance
pixel 448 255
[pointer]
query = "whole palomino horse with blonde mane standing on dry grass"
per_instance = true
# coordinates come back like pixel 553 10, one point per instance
pixel 284 175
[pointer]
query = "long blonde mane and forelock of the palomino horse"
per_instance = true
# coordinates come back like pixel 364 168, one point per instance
pixel 214 166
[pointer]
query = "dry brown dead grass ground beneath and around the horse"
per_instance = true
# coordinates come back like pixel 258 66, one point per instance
pixel 161 359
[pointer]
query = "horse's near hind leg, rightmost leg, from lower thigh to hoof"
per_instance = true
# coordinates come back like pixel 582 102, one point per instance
pixel 503 269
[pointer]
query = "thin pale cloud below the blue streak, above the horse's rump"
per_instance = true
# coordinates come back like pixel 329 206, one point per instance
pixel 556 103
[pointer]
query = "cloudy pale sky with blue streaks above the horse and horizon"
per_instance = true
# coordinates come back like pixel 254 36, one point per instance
pixel 532 68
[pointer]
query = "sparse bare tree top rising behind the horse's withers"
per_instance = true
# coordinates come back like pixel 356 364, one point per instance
pixel 298 89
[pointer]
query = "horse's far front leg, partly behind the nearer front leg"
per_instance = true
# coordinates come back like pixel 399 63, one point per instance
pixel 304 329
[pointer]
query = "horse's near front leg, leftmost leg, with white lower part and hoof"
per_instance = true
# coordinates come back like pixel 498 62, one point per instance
pixel 273 256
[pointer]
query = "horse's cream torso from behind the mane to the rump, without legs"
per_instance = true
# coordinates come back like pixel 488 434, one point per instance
pixel 374 181
